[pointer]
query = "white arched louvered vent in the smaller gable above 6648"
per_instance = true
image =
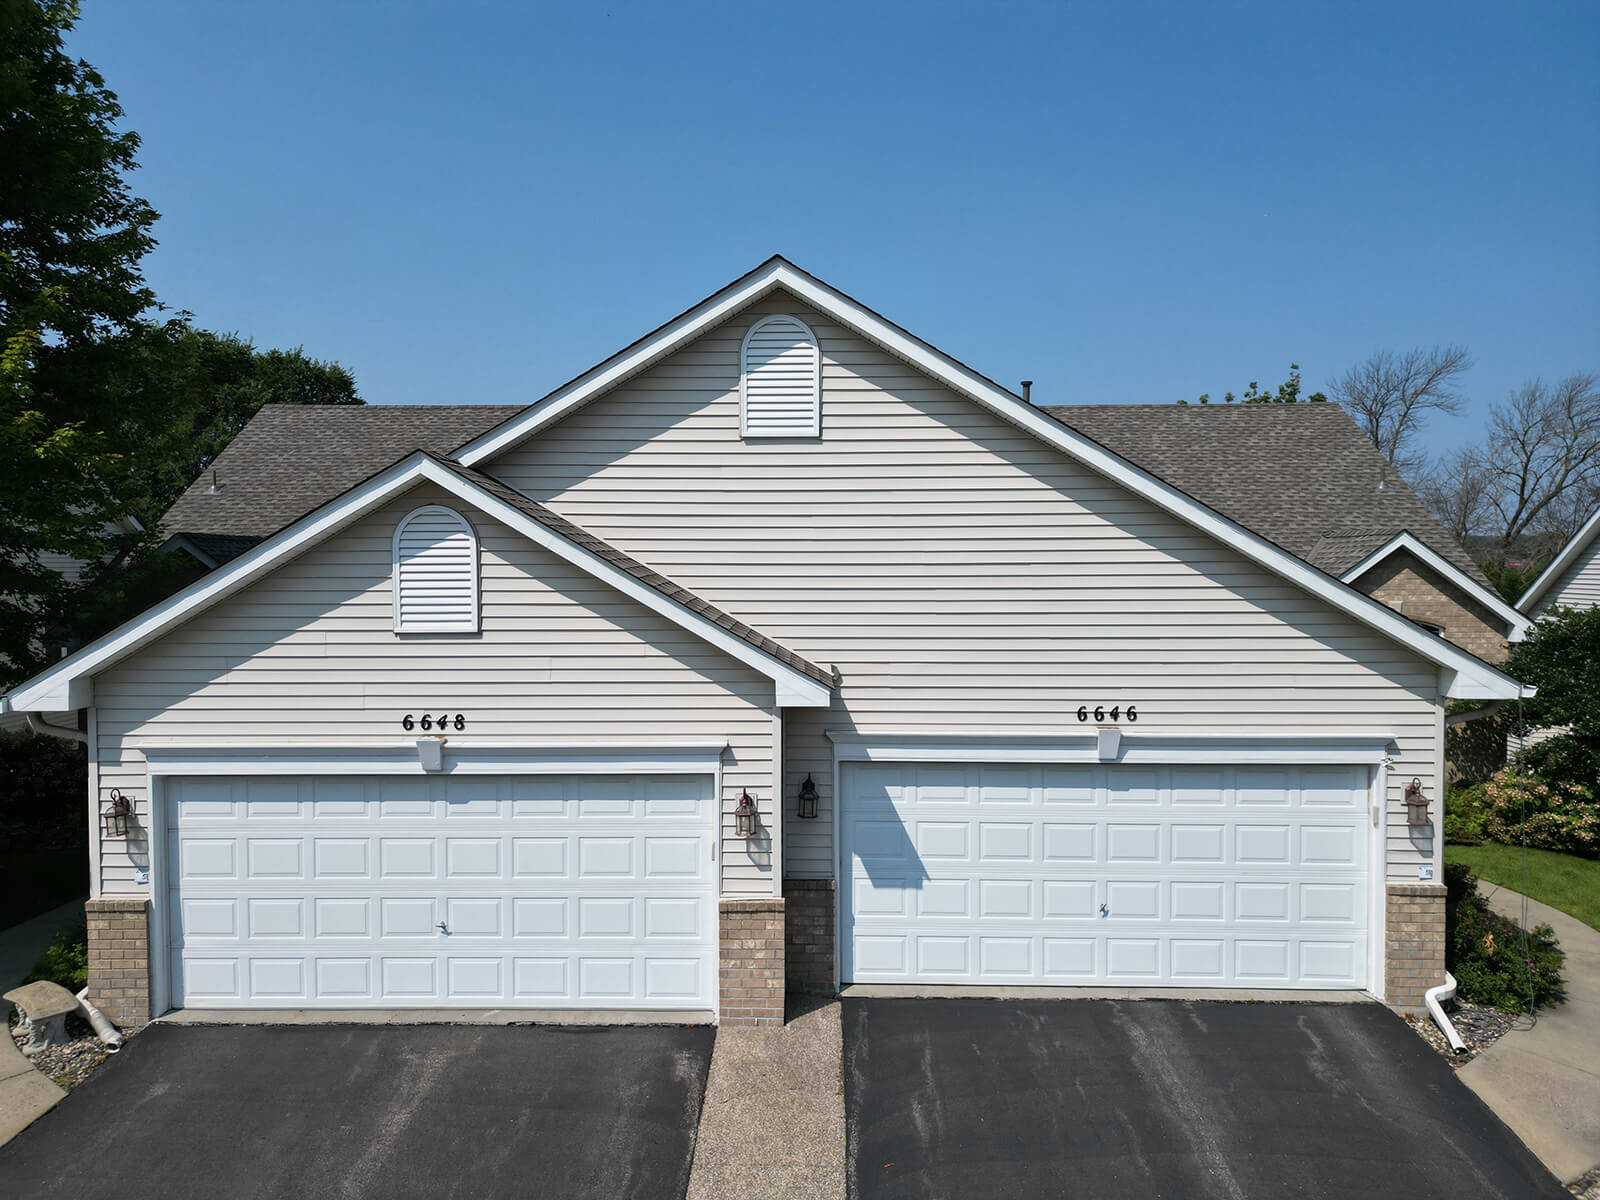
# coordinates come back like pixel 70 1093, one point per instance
pixel 436 559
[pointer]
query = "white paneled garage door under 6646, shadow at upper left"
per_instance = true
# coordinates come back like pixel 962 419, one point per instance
pixel 1174 876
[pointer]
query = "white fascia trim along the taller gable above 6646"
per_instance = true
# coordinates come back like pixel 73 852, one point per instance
pixel 1004 404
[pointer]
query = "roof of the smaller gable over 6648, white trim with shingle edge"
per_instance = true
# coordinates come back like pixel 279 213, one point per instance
pixel 798 681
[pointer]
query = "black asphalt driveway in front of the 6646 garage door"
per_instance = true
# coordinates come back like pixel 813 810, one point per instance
pixel 1164 1098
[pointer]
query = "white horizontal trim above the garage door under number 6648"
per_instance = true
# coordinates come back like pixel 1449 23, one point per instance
pixel 167 759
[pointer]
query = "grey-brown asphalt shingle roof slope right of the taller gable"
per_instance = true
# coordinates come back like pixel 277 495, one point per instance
pixel 1302 476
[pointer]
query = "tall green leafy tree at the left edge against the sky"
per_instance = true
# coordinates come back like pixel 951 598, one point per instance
pixel 71 241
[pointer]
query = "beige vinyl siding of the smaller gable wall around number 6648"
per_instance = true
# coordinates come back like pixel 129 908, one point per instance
pixel 310 655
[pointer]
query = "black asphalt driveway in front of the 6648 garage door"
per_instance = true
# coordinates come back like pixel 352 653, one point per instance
pixel 385 1113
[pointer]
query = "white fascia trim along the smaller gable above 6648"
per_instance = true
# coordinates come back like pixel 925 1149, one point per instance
pixel 47 692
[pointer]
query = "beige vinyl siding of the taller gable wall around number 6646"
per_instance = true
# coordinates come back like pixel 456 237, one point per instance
pixel 962 575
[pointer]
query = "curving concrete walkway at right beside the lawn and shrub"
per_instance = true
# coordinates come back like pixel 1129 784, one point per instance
pixel 1545 1082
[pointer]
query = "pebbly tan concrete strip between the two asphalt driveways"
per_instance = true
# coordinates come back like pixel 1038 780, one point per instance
pixel 774 1119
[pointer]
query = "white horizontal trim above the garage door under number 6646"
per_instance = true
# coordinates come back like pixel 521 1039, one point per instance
pixel 1082 748
